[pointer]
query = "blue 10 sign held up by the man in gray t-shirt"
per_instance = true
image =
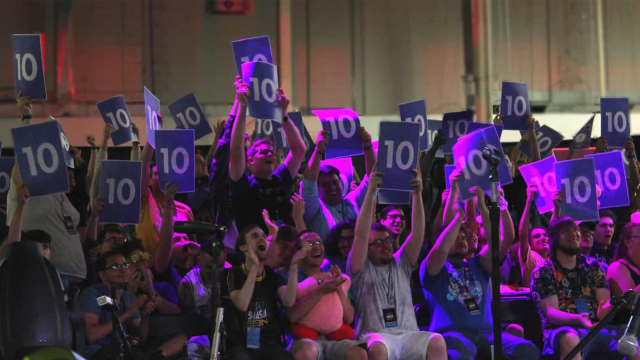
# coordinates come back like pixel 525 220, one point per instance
pixel 398 149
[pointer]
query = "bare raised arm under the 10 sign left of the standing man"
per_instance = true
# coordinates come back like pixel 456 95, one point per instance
pixel 165 246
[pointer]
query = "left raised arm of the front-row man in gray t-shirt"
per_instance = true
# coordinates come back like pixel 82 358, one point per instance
pixel 358 253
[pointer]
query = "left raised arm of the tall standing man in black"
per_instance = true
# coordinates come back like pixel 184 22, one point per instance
pixel 237 157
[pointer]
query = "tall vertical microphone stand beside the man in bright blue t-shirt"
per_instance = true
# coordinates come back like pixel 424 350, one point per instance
pixel 494 217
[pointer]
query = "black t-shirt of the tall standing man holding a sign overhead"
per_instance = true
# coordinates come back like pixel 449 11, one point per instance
pixel 251 196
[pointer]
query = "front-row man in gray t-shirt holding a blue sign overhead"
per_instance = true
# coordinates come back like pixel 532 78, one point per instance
pixel 380 284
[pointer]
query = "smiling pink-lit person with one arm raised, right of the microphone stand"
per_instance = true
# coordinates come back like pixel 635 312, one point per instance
pixel 531 238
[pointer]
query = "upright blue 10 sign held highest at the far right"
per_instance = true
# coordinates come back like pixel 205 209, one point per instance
pixel 614 121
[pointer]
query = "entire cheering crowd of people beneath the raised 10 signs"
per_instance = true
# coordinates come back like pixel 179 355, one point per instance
pixel 307 272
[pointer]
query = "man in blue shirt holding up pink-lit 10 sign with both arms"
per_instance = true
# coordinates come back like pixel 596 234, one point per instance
pixel 322 190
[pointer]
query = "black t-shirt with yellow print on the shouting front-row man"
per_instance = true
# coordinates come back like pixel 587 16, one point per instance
pixel 262 312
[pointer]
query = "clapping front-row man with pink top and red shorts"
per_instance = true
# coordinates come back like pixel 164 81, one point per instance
pixel 325 302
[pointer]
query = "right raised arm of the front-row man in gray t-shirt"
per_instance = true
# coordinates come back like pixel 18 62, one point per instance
pixel 413 244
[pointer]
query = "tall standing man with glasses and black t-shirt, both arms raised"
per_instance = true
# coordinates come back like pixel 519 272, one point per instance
pixel 267 187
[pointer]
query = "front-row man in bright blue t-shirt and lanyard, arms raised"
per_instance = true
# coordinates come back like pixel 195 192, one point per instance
pixel 460 289
